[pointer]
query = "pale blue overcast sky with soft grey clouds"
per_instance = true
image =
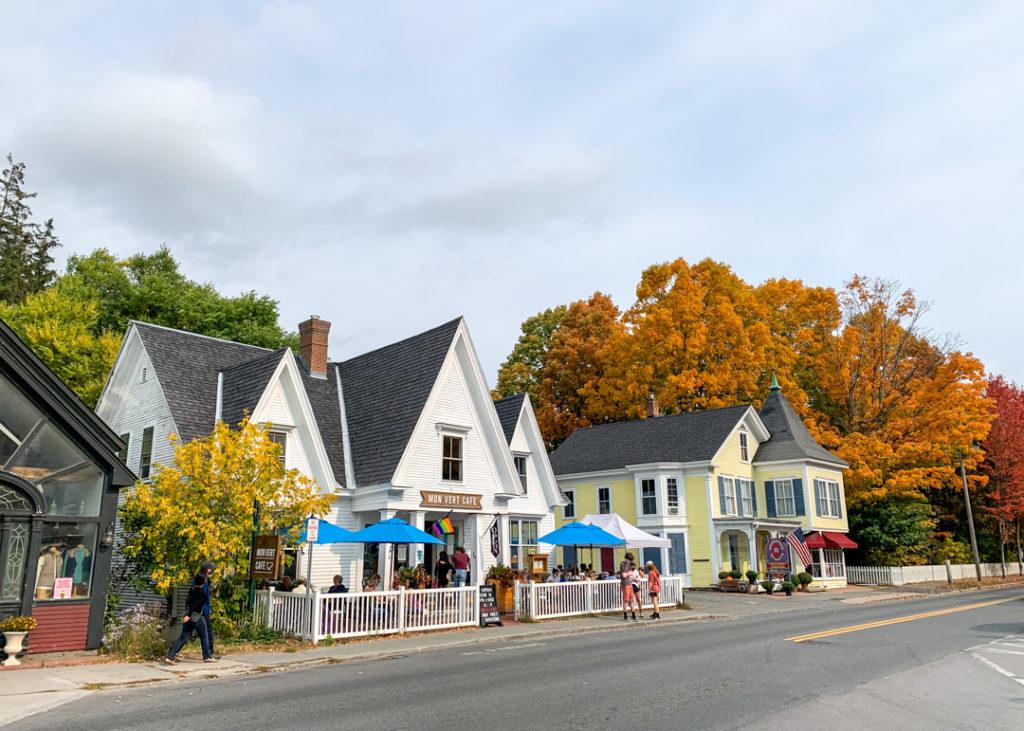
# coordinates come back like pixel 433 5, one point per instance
pixel 391 166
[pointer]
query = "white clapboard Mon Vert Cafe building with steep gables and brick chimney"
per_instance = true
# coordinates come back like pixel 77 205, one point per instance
pixel 408 431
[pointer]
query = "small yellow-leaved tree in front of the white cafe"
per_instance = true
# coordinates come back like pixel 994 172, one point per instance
pixel 203 509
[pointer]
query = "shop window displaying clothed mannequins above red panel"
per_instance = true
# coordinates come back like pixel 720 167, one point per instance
pixel 67 553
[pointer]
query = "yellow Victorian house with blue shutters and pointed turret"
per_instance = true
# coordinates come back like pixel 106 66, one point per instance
pixel 717 484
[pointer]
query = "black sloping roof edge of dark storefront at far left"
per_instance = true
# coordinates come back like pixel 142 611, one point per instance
pixel 31 373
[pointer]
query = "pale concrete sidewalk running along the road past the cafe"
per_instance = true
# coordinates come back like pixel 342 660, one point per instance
pixel 28 692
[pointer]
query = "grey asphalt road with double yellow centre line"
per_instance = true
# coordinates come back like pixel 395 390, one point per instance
pixel 958 664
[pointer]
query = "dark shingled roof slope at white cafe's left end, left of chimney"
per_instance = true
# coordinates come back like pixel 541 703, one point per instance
pixel 187 366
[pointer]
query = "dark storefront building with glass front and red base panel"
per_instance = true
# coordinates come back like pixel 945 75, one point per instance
pixel 60 477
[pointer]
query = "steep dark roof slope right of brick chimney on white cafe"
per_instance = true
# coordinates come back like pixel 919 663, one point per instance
pixel 386 392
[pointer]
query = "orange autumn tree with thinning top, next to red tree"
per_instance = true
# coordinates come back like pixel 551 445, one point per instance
pixel 903 402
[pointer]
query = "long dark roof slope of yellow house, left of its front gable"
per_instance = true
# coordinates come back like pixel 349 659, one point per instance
pixel 695 437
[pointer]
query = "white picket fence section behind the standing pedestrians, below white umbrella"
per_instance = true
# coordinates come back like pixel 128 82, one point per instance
pixel 545 601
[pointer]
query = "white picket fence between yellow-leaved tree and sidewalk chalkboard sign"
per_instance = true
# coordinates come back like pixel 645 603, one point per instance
pixel 364 614
